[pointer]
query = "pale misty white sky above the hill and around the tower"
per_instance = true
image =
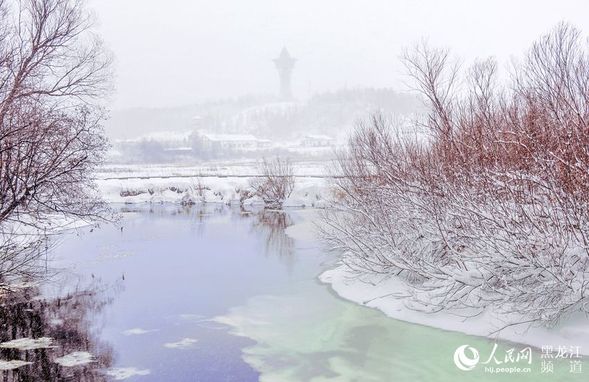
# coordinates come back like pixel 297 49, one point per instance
pixel 178 52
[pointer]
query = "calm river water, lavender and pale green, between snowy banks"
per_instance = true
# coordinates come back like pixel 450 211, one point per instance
pixel 216 293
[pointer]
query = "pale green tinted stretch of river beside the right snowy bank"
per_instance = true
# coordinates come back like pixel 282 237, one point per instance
pixel 315 336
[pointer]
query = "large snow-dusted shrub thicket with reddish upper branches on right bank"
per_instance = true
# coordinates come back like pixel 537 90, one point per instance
pixel 493 209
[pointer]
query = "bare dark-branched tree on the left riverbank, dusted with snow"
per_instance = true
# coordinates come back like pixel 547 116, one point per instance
pixel 53 75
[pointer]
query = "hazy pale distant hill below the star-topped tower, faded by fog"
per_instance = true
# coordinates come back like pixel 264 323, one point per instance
pixel 332 113
